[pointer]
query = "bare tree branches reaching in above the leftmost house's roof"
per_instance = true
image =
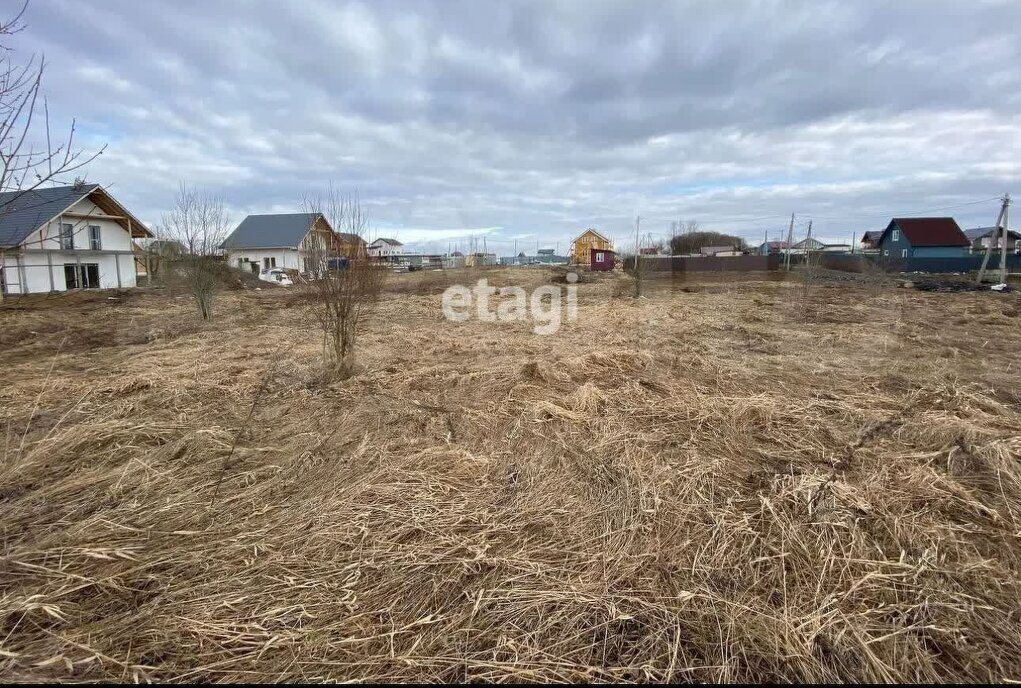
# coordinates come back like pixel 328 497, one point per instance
pixel 29 157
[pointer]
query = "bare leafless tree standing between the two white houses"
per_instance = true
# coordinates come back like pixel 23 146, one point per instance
pixel 201 223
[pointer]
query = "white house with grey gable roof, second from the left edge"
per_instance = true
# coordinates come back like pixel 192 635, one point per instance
pixel 288 241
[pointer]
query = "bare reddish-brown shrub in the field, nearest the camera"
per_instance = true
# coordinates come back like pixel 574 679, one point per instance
pixel 346 284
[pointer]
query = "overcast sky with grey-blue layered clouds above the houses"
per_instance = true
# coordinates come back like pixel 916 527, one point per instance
pixel 529 121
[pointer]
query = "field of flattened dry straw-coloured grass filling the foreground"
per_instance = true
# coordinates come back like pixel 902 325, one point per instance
pixel 753 481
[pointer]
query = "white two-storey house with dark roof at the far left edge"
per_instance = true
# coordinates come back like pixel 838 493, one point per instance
pixel 67 237
